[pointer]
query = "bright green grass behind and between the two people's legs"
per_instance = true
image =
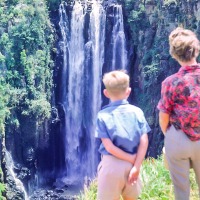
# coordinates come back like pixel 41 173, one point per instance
pixel 156 181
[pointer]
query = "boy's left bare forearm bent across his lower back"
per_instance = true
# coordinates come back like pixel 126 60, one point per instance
pixel 117 152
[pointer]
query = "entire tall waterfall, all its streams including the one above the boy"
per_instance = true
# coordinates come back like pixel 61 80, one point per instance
pixel 83 47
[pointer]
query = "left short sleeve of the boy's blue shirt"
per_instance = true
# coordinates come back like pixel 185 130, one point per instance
pixel 100 131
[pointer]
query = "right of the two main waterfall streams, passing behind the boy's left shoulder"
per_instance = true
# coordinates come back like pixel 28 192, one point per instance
pixel 96 38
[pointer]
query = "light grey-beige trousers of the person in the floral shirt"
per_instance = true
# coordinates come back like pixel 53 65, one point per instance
pixel 181 154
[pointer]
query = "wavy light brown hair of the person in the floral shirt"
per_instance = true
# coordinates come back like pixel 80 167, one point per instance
pixel 184 44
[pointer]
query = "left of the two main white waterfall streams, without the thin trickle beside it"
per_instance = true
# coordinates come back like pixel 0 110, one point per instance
pixel 75 91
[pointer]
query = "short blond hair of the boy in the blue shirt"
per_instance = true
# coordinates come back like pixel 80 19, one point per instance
pixel 116 81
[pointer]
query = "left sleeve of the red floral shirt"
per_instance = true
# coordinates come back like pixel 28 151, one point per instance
pixel 165 103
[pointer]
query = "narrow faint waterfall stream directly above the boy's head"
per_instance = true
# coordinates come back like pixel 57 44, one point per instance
pixel 119 52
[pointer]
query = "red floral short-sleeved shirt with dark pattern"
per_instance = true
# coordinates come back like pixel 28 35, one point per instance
pixel 180 98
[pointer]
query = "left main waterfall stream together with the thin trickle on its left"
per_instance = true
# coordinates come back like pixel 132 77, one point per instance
pixel 72 83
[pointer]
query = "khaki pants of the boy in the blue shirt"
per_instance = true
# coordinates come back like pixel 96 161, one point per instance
pixel 113 180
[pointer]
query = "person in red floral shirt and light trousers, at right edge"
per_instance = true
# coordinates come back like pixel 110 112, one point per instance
pixel 179 115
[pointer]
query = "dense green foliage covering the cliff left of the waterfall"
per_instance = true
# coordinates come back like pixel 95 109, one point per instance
pixel 26 39
